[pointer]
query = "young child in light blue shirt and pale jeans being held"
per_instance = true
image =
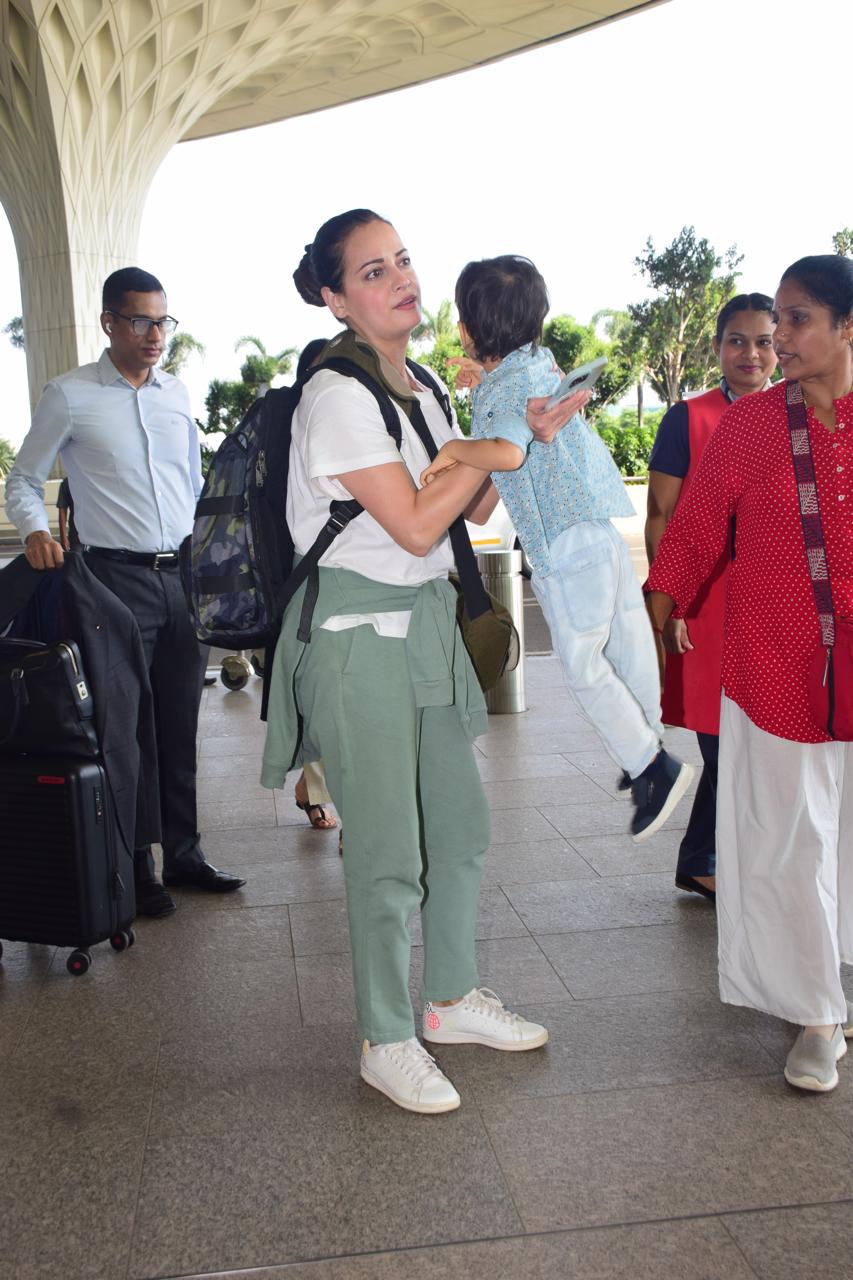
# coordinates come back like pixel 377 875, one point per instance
pixel 562 499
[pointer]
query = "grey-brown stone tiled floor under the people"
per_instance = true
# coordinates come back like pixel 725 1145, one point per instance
pixel 194 1108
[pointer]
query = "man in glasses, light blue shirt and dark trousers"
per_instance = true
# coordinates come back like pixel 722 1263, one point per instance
pixel 131 450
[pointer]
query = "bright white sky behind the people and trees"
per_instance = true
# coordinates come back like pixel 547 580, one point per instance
pixel 718 113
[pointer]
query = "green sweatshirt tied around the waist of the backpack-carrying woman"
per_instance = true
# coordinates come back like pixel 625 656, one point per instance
pixel 441 671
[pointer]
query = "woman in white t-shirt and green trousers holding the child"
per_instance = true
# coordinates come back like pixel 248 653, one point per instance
pixel 385 692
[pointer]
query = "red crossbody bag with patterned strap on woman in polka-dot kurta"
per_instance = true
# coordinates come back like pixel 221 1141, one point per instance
pixel 829 679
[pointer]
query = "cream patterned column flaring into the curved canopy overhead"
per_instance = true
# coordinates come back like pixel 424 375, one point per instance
pixel 94 94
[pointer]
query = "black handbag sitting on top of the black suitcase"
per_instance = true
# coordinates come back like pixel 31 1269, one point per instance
pixel 45 703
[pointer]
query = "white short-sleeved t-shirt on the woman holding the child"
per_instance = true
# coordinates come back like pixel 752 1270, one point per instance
pixel 339 428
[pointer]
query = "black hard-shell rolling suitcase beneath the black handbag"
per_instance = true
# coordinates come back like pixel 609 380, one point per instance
pixel 66 877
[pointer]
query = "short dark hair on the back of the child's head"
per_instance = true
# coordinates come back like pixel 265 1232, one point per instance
pixel 503 303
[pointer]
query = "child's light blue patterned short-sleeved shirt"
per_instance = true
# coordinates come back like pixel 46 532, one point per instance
pixel 559 484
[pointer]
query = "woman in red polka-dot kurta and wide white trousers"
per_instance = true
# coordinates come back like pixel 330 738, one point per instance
pixel 786 789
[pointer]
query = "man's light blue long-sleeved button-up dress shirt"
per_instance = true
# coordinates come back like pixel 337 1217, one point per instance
pixel 131 455
